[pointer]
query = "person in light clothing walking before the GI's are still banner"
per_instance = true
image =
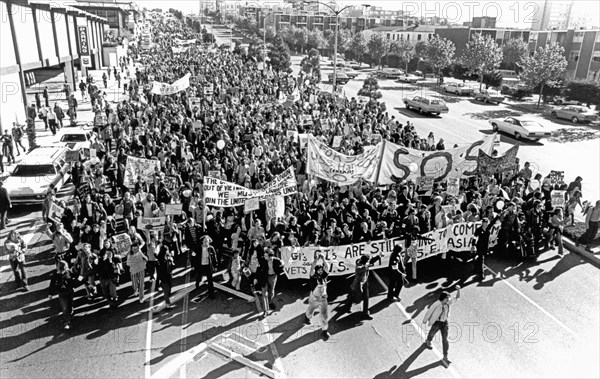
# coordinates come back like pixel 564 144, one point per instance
pixel 317 299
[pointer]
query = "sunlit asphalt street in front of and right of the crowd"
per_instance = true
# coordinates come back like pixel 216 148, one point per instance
pixel 526 319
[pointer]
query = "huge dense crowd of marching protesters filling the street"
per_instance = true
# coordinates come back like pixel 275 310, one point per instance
pixel 243 109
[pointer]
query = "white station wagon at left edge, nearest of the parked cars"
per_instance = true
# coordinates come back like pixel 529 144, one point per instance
pixel 31 179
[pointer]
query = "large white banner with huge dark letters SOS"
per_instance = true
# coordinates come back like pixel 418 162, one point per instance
pixel 401 163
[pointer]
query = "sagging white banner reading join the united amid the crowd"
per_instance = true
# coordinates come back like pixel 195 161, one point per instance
pixel 221 193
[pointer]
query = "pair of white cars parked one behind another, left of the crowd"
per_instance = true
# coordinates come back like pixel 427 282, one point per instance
pixel 46 166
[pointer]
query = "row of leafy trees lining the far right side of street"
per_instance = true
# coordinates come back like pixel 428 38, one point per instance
pixel 543 71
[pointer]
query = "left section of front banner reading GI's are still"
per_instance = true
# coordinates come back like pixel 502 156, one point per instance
pixel 341 260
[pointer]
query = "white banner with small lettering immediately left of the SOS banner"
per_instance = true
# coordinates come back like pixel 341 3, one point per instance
pixel 326 163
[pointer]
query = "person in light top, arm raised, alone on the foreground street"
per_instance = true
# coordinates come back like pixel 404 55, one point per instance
pixel 437 318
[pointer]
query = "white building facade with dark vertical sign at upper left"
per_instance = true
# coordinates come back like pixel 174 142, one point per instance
pixel 43 36
